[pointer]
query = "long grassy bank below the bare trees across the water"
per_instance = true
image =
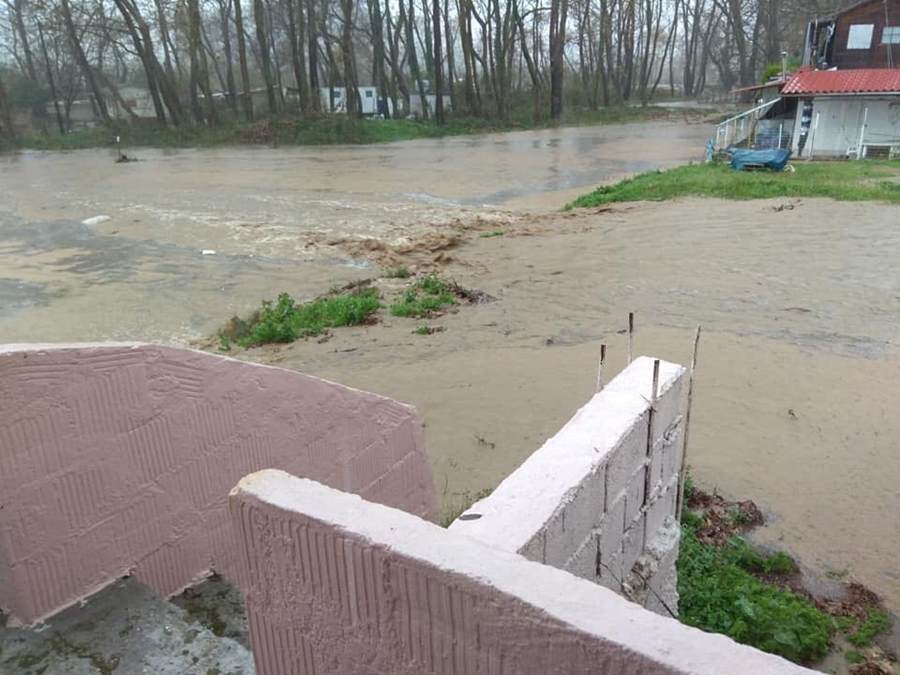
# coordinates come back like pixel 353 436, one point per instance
pixel 327 130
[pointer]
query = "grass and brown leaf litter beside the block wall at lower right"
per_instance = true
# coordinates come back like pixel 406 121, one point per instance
pixel 760 598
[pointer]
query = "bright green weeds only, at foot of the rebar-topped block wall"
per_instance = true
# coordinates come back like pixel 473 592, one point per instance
pixel 719 595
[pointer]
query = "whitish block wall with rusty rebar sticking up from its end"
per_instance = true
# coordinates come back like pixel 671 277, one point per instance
pixel 598 499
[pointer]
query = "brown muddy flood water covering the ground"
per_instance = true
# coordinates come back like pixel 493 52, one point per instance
pixel 799 381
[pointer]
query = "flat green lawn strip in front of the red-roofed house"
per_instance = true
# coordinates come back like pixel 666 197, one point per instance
pixel 844 181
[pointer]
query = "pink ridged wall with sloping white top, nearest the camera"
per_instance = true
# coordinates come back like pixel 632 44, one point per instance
pixel 340 585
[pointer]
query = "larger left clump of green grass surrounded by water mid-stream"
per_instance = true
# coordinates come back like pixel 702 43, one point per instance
pixel 285 320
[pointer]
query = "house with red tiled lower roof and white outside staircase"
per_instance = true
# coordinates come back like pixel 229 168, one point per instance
pixel 845 99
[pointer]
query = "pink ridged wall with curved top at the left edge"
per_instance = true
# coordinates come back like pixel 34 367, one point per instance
pixel 118 459
